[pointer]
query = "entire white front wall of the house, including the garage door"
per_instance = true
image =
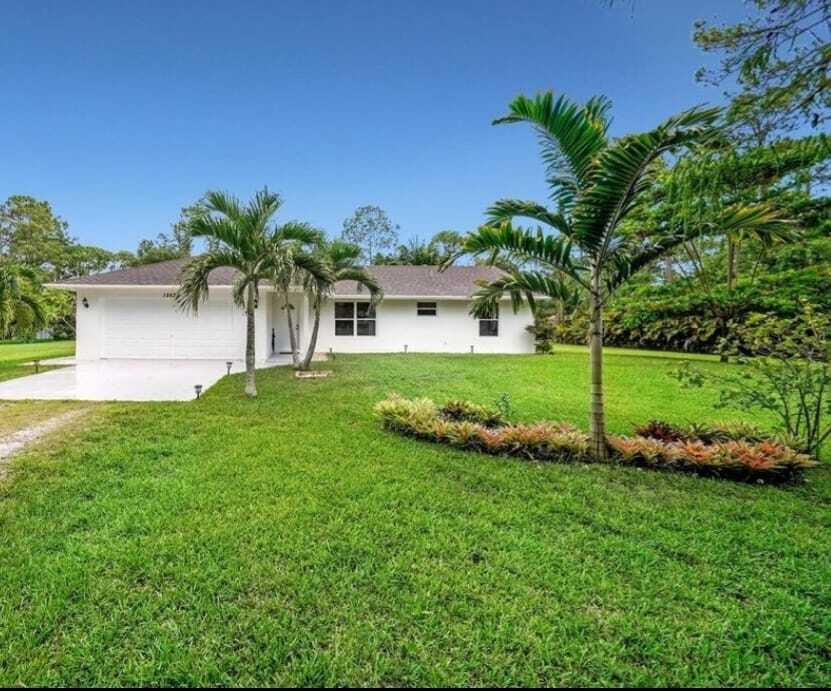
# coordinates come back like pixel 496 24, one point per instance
pixel 144 323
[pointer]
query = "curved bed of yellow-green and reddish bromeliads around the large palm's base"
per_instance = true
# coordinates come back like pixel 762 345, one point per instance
pixel 737 452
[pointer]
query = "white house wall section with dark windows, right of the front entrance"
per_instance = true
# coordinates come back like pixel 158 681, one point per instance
pixel 452 330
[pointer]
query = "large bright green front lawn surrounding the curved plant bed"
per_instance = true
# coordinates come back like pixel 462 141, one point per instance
pixel 290 541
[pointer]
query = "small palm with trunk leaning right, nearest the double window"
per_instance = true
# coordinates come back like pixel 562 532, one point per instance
pixel 341 261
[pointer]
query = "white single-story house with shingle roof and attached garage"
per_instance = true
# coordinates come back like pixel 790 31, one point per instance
pixel 132 314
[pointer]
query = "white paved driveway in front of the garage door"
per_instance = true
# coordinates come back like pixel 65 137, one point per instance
pixel 122 380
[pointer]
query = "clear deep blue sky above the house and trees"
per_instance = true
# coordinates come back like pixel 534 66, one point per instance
pixel 119 113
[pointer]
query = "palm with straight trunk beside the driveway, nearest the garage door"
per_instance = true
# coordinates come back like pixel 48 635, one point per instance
pixel 242 237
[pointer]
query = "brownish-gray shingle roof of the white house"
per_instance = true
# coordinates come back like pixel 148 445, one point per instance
pixel 412 281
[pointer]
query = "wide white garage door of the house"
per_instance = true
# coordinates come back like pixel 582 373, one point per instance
pixel 155 329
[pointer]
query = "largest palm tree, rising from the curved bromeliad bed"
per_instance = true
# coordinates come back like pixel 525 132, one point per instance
pixel 595 182
